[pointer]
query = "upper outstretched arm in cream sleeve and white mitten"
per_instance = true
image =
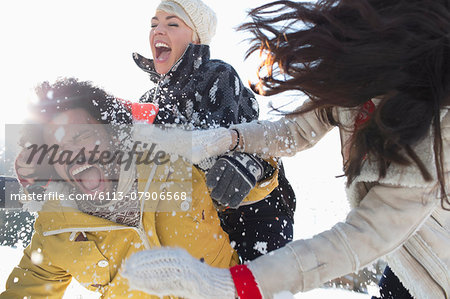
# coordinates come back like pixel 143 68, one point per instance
pixel 284 137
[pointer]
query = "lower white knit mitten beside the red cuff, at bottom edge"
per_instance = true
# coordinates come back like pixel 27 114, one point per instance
pixel 173 271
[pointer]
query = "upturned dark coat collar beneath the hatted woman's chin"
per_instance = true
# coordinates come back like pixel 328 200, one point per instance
pixel 193 57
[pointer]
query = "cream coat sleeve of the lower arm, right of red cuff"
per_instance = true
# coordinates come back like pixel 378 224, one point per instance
pixel 386 218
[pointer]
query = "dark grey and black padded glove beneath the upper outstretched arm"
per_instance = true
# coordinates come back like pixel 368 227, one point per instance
pixel 232 178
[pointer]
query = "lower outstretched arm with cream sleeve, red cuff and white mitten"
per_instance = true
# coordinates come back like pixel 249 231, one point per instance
pixel 301 265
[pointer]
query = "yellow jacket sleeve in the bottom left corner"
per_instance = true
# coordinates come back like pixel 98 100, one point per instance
pixel 35 277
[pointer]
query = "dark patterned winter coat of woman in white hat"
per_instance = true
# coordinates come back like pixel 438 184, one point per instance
pixel 205 93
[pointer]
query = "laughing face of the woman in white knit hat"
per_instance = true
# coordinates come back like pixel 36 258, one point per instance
pixel 169 38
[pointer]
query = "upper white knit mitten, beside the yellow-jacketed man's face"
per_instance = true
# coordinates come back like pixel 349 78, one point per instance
pixel 194 145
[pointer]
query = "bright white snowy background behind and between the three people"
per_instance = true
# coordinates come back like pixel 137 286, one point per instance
pixel 93 40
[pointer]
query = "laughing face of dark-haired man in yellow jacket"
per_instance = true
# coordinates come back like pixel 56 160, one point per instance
pixel 75 130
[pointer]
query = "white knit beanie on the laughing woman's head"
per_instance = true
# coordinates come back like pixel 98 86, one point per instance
pixel 201 16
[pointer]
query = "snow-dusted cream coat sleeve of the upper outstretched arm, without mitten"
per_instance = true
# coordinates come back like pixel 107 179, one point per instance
pixel 284 137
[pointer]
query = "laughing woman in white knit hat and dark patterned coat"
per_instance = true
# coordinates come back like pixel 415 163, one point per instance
pixel 192 89
